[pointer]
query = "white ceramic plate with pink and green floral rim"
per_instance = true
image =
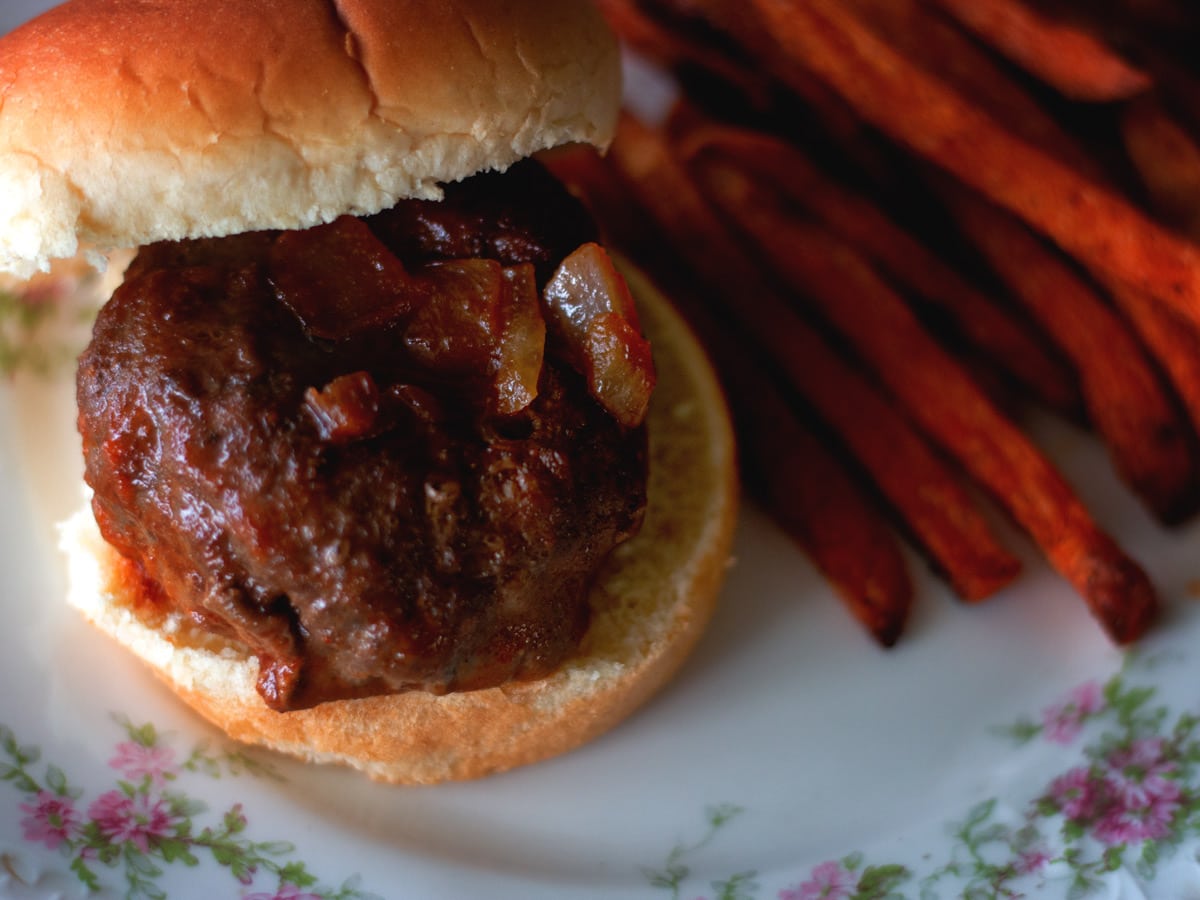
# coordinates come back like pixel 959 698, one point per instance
pixel 1000 751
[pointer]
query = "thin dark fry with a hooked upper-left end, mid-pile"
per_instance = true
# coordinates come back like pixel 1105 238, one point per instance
pixel 989 328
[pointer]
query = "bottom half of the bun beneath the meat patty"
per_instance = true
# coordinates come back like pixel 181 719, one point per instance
pixel 651 608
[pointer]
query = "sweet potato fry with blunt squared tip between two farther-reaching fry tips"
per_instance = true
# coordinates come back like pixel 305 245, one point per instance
pixel 935 508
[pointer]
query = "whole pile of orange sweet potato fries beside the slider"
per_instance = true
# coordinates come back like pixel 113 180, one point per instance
pixel 899 223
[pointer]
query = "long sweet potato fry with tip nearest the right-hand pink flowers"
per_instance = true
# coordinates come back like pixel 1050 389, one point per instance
pixel 947 405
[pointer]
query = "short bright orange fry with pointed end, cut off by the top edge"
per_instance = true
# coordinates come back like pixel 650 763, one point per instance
pixel 1073 62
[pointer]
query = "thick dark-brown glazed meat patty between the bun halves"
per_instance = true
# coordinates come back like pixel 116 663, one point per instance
pixel 375 488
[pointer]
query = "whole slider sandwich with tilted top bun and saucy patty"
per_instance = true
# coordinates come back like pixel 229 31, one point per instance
pixel 387 465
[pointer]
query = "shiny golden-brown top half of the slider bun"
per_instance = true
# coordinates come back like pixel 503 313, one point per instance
pixel 124 122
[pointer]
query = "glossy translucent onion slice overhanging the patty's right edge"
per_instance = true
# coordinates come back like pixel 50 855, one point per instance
pixel 589 307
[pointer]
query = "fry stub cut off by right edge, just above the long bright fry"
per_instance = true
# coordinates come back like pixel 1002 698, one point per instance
pixel 1167 159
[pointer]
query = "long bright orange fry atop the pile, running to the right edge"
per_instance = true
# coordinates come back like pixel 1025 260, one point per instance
pixel 1096 226
